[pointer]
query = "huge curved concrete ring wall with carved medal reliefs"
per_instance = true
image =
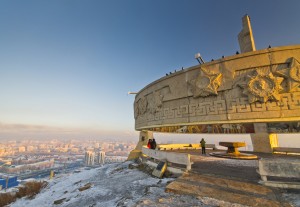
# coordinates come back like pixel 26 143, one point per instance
pixel 226 95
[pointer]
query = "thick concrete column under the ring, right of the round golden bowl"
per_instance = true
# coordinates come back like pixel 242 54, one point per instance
pixel 262 141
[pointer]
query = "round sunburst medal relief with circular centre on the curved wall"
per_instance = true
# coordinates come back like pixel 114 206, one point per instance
pixel 262 86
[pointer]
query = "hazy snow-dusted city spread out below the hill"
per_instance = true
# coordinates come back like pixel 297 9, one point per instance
pixel 27 157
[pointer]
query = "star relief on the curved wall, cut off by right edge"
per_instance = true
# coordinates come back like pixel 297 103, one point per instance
pixel 292 74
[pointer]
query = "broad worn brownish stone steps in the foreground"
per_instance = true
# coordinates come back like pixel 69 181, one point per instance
pixel 235 192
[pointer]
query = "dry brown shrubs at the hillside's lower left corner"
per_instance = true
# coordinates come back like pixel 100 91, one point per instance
pixel 30 189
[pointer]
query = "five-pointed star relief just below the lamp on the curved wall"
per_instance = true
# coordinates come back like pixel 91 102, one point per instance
pixel 206 84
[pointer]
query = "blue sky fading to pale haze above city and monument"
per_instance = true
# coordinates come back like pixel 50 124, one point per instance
pixel 66 65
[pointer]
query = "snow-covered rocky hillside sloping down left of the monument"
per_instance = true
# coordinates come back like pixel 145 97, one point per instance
pixel 111 185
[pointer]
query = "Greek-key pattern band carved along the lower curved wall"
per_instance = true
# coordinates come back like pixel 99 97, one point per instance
pixel 234 106
